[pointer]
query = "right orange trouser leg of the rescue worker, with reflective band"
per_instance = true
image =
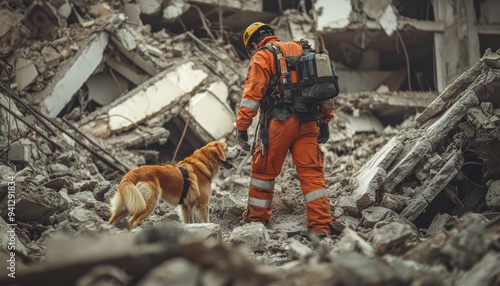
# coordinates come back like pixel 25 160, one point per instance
pixel 308 159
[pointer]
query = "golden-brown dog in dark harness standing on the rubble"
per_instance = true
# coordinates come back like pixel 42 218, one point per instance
pixel 141 188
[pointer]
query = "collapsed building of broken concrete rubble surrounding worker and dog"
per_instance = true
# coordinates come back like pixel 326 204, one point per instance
pixel 90 90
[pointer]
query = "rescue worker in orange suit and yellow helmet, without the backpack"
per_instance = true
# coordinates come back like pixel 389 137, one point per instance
pixel 288 130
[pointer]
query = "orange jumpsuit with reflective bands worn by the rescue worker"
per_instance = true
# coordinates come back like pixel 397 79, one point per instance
pixel 284 135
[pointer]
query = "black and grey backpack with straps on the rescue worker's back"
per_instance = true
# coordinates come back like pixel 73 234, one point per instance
pixel 309 76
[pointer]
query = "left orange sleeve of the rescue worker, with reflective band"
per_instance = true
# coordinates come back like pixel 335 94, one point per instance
pixel 258 76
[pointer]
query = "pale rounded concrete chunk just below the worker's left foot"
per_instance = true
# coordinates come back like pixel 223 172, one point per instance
pixel 253 236
